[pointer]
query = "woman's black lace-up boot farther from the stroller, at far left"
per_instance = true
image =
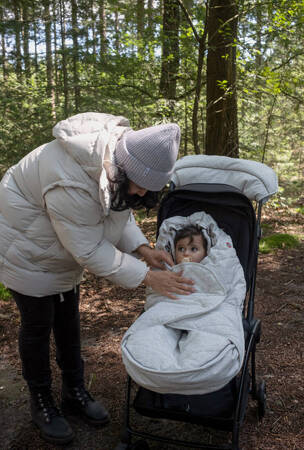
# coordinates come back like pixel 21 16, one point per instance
pixel 47 417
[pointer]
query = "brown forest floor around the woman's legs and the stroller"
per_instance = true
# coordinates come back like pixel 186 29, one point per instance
pixel 107 312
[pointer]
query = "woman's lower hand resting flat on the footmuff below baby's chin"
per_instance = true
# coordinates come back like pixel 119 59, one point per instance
pixel 169 283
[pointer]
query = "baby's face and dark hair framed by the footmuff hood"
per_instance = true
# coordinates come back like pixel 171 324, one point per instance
pixel 190 245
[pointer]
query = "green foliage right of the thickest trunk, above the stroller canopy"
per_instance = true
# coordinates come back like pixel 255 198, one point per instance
pixel 270 69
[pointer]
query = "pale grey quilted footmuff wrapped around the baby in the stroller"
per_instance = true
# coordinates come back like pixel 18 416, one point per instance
pixel 194 344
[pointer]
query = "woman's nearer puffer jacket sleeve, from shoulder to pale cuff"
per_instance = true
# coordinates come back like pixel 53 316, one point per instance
pixel 78 222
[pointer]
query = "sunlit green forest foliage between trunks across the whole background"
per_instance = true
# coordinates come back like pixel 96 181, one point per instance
pixel 125 81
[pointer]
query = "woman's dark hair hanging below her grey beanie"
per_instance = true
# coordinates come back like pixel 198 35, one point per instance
pixel 121 200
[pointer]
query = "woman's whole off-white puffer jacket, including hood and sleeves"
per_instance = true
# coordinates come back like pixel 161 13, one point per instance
pixel 55 216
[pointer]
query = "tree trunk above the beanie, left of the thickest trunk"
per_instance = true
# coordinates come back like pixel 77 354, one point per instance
pixel 170 49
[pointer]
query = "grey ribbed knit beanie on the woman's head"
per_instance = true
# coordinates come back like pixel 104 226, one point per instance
pixel 148 156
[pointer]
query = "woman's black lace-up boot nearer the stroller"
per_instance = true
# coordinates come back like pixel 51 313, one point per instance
pixel 78 401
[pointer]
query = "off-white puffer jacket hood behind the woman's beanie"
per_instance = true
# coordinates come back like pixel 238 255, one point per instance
pixel 90 139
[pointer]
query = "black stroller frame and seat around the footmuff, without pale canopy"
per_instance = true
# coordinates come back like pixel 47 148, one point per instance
pixel 252 332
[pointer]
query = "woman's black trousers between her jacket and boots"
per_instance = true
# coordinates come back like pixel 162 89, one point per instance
pixel 40 316
